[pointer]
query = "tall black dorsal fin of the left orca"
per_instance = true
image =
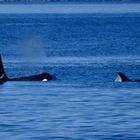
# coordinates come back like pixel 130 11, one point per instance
pixel 3 75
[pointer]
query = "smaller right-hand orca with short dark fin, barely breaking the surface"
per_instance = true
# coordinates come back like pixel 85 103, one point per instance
pixel 123 78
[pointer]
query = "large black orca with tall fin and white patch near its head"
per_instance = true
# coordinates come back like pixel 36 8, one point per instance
pixel 39 77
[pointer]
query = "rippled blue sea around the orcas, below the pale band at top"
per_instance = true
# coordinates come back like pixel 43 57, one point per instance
pixel 84 52
